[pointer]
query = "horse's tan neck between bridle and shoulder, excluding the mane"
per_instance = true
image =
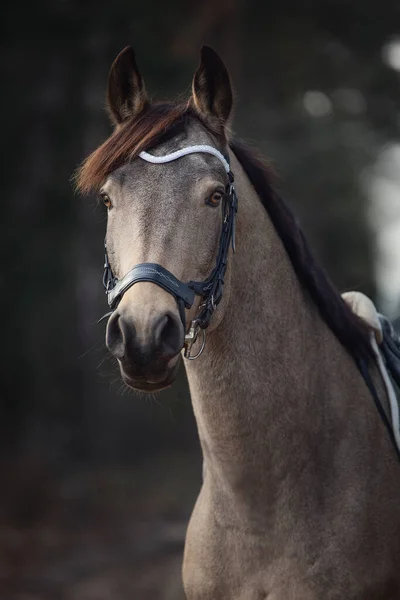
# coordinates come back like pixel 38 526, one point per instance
pixel 262 389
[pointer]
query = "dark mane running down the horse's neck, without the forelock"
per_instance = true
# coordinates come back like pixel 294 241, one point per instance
pixel 350 330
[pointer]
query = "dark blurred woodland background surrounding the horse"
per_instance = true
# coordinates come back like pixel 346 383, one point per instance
pixel 96 482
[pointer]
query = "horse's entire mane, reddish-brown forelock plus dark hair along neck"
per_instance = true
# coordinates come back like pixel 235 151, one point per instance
pixel 160 122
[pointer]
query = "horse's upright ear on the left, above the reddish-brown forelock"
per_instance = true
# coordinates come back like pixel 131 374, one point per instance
pixel 126 94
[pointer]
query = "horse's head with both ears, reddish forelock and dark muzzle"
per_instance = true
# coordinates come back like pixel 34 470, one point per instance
pixel 166 217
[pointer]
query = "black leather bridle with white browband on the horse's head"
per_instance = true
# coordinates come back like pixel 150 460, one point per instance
pixel 211 289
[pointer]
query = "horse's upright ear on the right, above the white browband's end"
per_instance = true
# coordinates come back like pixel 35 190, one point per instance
pixel 211 88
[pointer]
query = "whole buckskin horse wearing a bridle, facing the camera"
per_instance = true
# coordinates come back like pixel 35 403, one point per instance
pixel 300 498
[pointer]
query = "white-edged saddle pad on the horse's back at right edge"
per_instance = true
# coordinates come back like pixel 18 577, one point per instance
pixel 385 343
